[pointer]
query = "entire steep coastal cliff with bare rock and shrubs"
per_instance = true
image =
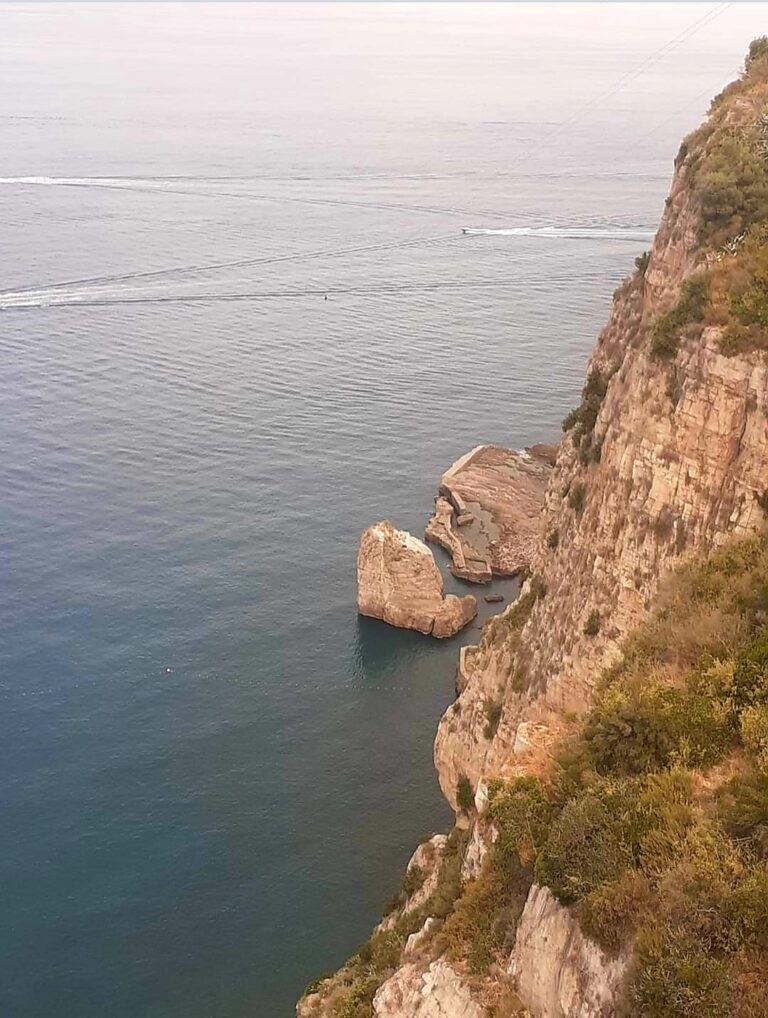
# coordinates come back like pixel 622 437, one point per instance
pixel 602 721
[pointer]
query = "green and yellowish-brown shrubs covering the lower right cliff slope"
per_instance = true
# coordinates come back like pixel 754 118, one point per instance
pixel 633 828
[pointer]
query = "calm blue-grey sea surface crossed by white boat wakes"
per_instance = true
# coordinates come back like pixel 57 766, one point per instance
pixel 193 438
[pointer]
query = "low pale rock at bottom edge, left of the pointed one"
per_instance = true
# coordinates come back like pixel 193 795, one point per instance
pixel 438 992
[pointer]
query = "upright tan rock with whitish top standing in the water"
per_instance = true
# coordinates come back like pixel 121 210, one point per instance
pixel 399 582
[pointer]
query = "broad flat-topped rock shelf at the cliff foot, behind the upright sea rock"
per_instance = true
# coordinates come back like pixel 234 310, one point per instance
pixel 487 514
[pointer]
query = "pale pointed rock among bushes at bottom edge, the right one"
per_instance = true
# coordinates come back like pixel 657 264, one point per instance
pixel 559 973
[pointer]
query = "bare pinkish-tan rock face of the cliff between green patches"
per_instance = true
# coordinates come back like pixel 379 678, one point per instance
pixel 683 451
